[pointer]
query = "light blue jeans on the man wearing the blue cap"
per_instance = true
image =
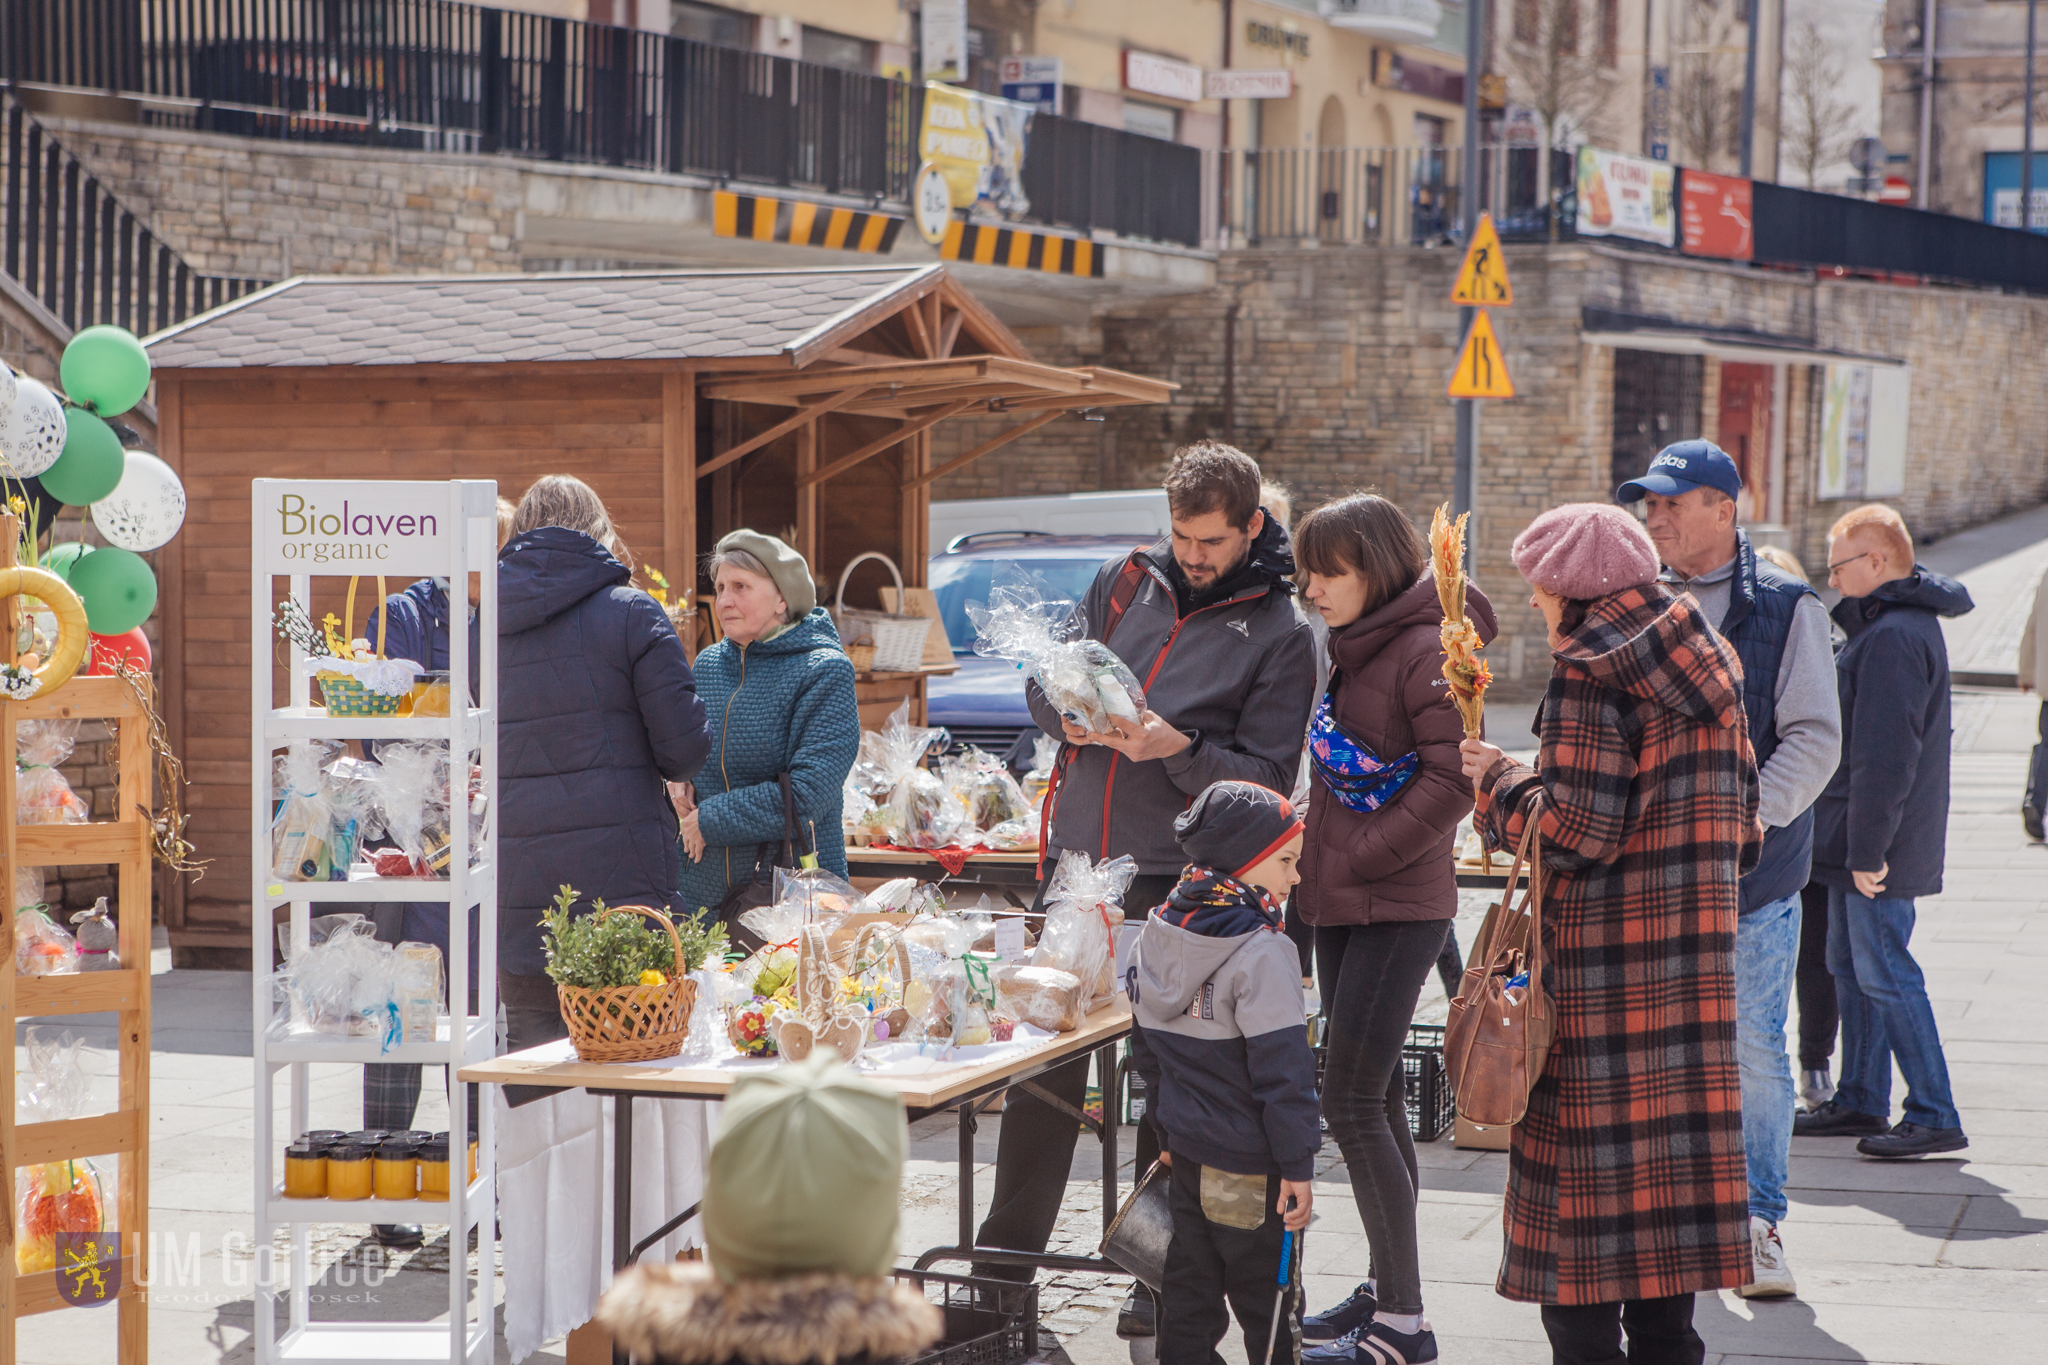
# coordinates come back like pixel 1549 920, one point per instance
pixel 1766 957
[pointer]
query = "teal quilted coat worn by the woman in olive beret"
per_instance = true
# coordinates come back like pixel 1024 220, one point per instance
pixel 781 705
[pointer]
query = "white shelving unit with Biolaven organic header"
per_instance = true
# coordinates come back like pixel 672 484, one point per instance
pixel 404 533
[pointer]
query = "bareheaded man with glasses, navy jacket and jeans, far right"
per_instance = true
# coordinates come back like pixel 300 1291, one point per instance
pixel 1881 836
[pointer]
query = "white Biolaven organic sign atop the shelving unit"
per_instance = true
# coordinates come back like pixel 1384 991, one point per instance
pixel 349 527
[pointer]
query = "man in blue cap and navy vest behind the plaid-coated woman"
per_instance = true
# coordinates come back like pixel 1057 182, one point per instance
pixel 1781 633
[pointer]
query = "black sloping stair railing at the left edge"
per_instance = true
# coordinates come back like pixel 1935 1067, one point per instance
pixel 81 253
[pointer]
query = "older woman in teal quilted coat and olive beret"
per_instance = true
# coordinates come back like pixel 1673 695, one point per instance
pixel 779 691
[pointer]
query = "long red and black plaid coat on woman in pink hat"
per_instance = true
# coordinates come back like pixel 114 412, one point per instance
pixel 1627 1178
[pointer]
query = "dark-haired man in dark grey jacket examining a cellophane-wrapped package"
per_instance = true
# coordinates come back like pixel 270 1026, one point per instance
pixel 1207 623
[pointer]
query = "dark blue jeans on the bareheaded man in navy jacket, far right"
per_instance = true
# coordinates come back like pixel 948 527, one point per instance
pixel 1885 1012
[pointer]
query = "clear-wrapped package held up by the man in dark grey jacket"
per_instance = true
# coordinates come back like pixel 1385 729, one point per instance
pixel 1048 635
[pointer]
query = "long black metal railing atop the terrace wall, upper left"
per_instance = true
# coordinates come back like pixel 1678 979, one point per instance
pixel 447 77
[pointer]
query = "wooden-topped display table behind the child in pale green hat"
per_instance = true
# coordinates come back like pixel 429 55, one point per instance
pixel 964 1090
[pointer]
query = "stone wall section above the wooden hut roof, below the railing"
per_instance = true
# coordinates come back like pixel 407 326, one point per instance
pixel 271 210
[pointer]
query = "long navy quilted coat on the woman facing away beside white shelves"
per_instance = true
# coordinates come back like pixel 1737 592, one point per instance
pixel 597 707
